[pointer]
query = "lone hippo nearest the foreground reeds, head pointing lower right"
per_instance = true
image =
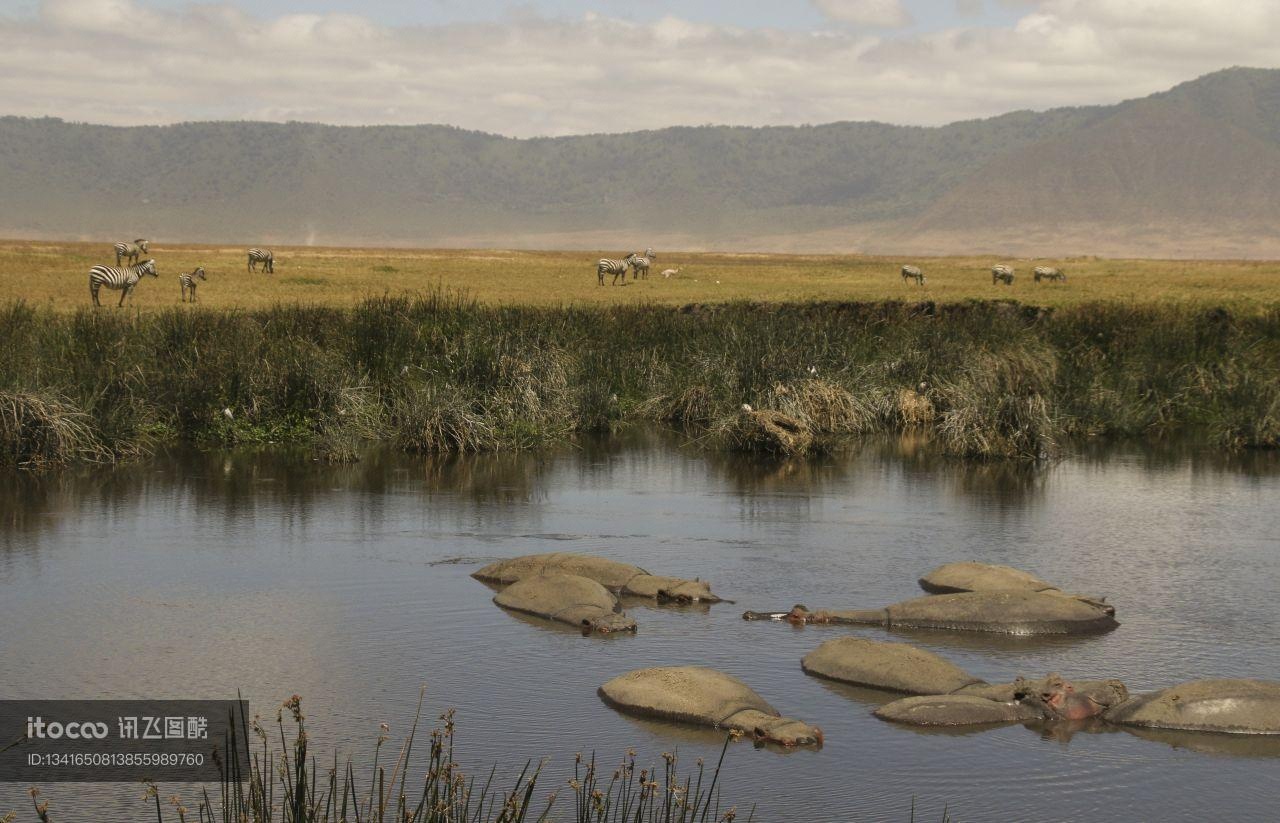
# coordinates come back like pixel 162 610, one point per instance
pixel 705 697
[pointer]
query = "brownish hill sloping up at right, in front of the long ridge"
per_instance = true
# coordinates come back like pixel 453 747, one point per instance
pixel 1204 156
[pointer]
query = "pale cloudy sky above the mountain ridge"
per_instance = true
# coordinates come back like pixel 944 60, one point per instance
pixel 572 67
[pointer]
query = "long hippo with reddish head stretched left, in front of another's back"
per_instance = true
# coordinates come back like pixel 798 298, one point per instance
pixel 1008 612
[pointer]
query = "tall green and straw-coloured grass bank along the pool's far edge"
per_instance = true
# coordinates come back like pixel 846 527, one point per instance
pixel 440 373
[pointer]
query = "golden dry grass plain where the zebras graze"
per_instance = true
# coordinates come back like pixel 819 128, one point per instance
pixel 57 275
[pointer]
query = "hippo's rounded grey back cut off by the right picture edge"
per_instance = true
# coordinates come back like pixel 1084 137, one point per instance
pixel 1237 707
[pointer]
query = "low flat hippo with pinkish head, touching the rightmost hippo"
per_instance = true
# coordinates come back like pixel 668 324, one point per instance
pixel 1023 702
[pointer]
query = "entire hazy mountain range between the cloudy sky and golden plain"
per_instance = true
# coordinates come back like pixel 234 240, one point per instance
pixel 1144 177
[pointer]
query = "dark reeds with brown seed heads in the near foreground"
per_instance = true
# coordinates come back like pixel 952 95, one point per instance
pixel 287 784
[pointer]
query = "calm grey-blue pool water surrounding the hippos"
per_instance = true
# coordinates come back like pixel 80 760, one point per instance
pixel 200 575
